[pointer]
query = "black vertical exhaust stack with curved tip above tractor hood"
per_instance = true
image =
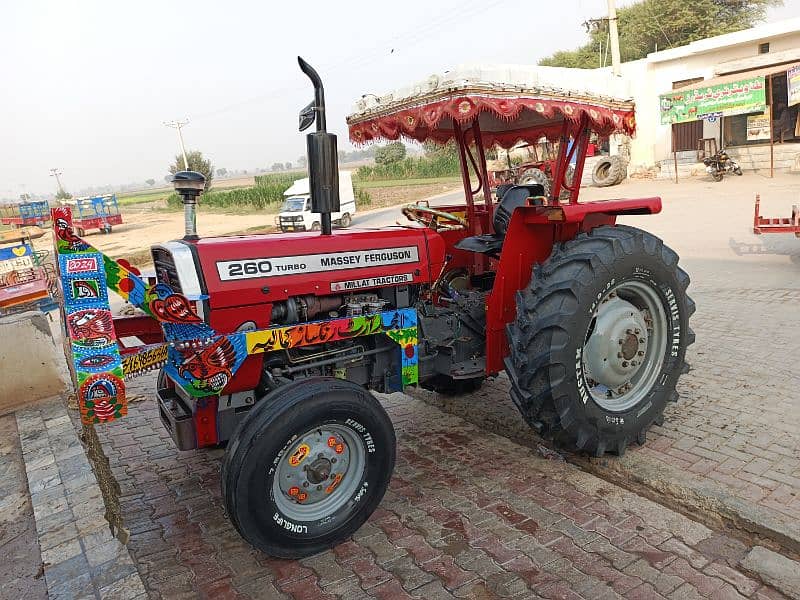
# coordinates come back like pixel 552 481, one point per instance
pixel 323 161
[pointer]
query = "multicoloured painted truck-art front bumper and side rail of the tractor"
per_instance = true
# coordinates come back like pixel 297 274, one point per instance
pixel 198 359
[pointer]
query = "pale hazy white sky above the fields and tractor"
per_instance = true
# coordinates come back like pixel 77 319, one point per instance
pixel 87 84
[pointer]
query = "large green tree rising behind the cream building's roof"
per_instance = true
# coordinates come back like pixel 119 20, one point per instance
pixel 652 25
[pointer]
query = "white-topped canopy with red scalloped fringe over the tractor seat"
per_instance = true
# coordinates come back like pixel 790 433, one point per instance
pixel 510 103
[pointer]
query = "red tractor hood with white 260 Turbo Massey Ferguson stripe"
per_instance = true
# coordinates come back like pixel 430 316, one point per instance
pixel 254 269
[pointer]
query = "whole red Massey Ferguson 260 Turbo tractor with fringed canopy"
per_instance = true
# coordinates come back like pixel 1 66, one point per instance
pixel 274 344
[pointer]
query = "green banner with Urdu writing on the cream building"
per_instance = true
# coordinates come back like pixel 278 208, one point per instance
pixel 736 98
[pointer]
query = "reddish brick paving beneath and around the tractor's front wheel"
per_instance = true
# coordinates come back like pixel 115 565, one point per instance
pixel 469 514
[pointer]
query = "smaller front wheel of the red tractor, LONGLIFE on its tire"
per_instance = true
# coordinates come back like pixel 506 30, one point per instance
pixel 308 466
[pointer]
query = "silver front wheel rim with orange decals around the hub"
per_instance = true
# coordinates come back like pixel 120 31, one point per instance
pixel 319 474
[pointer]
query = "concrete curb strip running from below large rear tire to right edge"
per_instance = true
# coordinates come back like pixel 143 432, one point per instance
pixel 701 499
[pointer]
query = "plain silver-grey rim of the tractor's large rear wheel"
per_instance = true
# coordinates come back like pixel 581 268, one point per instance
pixel 625 346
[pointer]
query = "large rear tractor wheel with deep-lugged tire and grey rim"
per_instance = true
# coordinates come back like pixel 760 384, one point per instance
pixel 600 338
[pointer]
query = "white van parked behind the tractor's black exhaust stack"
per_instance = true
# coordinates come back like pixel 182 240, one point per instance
pixel 296 212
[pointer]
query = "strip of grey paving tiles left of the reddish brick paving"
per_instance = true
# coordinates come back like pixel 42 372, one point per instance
pixel 81 558
